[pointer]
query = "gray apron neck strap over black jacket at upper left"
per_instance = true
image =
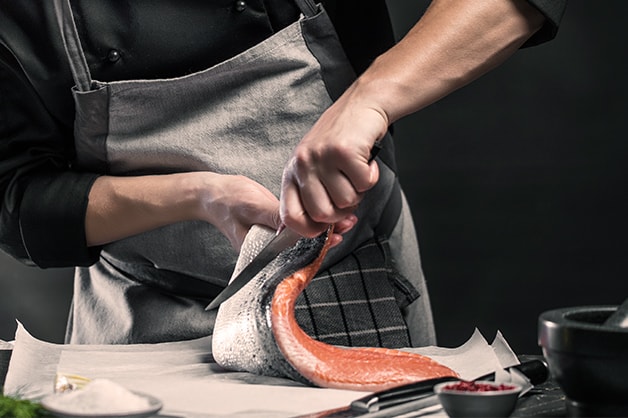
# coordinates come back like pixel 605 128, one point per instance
pixel 72 45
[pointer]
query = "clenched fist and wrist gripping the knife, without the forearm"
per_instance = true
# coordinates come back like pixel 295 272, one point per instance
pixel 329 171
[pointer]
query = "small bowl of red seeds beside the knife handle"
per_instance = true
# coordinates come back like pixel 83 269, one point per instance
pixel 478 399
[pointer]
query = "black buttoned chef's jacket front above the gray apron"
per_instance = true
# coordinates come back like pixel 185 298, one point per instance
pixel 162 38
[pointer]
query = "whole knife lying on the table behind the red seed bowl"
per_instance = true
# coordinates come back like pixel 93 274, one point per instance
pixel 418 396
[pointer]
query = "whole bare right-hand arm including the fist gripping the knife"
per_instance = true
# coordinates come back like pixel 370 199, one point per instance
pixel 455 42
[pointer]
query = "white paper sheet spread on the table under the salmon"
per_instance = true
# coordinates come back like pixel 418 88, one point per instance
pixel 189 384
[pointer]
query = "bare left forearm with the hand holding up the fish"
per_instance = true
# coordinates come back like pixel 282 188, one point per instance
pixel 120 207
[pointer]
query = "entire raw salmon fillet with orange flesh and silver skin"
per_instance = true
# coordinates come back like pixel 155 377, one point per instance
pixel 256 331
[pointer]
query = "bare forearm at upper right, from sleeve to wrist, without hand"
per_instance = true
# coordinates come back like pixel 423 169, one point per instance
pixel 455 42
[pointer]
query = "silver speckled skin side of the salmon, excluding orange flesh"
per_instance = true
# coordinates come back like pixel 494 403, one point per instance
pixel 243 338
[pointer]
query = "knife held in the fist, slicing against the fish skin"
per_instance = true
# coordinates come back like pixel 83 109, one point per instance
pixel 284 239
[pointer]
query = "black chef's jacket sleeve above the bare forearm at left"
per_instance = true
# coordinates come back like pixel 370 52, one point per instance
pixel 43 199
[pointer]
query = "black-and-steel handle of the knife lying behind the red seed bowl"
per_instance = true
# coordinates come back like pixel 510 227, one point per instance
pixel 535 370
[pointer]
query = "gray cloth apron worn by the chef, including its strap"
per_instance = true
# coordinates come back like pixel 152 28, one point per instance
pixel 243 116
